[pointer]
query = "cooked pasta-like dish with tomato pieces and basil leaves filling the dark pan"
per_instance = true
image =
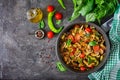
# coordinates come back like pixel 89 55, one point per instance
pixel 82 47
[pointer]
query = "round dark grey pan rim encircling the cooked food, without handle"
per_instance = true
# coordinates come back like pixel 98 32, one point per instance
pixel 67 28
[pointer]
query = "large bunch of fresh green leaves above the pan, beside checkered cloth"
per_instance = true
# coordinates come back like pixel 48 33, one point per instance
pixel 93 9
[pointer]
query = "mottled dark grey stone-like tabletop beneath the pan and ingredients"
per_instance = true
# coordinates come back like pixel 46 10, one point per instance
pixel 22 56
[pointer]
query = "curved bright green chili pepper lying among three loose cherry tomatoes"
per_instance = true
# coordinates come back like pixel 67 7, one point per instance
pixel 50 23
